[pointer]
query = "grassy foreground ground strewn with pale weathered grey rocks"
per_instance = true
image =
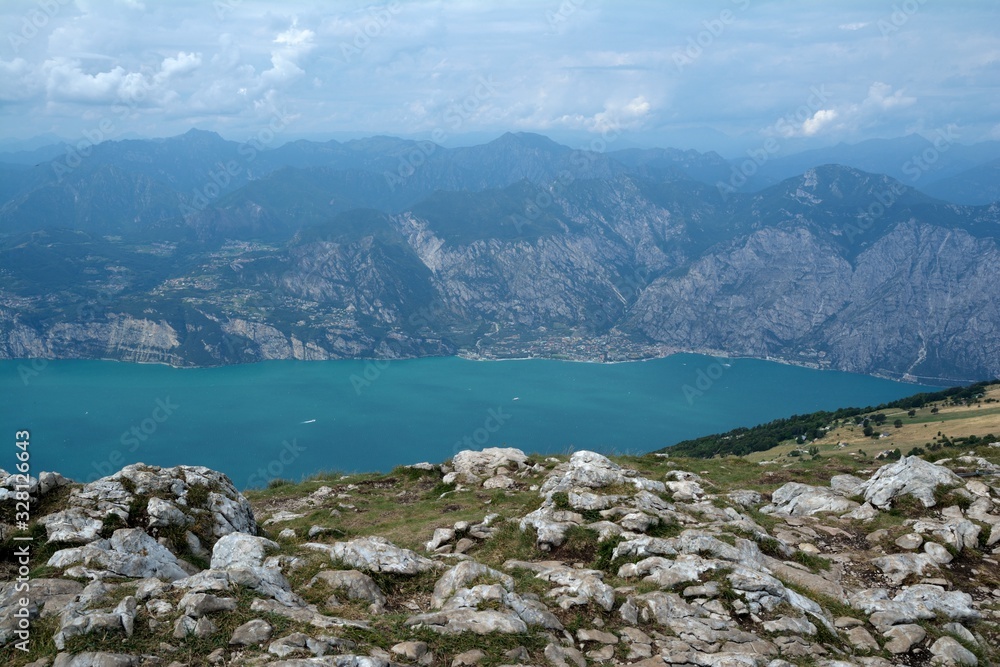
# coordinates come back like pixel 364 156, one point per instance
pixel 606 565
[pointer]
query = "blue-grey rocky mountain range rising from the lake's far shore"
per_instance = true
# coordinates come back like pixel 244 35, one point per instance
pixel 520 247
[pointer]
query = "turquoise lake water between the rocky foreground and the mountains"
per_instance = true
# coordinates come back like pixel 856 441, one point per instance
pixel 289 419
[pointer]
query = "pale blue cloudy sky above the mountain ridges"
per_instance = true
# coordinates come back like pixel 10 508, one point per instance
pixel 720 75
